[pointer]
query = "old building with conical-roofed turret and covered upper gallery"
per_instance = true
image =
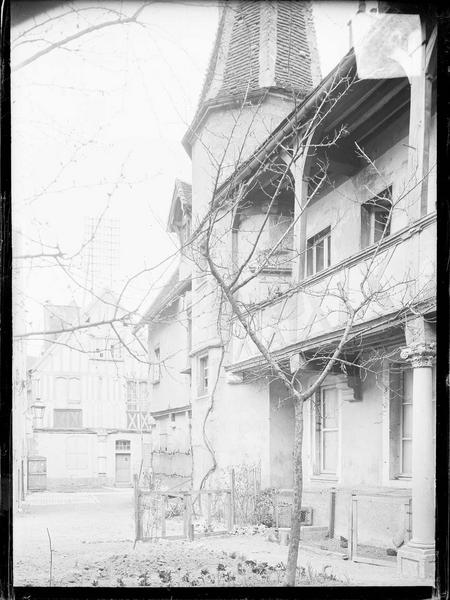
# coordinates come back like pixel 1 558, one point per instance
pixel 345 214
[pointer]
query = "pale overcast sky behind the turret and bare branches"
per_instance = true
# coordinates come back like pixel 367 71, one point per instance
pixel 99 123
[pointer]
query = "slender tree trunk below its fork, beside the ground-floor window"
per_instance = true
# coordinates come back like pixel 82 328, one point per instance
pixel 297 502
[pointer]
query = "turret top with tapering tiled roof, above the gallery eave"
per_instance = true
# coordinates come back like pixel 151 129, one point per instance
pixel 264 60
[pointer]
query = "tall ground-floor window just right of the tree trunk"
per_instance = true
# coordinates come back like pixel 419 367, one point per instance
pixel 326 431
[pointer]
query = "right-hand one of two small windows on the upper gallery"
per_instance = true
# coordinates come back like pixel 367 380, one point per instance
pixel 376 218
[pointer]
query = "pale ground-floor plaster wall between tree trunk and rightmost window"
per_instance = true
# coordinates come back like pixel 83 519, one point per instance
pixel 361 457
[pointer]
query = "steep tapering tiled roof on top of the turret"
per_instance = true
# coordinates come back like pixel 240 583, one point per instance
pixel 249 30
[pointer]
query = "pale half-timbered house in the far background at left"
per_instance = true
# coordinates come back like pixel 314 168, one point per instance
pixel 88 402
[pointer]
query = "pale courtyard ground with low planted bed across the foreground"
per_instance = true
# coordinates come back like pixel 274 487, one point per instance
pixel 92 537
